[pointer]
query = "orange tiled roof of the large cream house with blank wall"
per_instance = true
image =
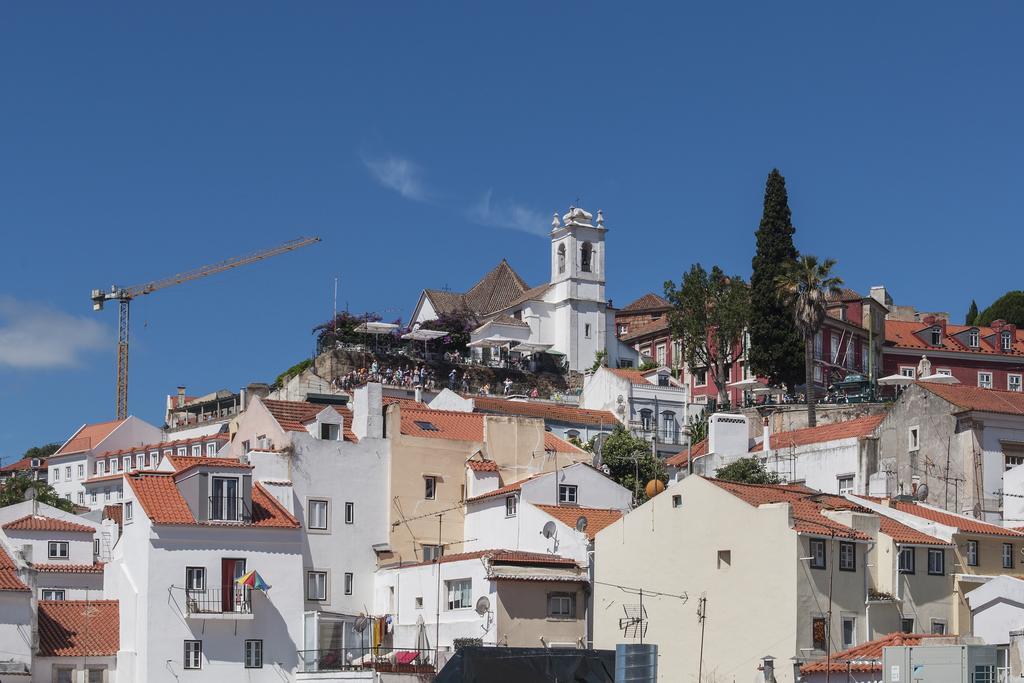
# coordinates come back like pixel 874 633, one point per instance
pixel 807 506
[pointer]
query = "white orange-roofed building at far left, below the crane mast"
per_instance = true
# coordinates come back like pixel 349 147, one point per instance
pixel 73 464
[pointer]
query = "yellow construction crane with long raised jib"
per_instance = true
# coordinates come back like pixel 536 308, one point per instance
pixel 124 295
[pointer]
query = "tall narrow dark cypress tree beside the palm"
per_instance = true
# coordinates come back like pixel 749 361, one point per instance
pixel 777 351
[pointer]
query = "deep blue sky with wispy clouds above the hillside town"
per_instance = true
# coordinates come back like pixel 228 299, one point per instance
pixel 425 142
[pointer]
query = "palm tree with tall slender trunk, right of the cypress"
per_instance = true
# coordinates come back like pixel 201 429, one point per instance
pixel 805 286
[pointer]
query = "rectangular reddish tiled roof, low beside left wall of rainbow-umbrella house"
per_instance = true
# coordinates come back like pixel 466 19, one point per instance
pixel 79 628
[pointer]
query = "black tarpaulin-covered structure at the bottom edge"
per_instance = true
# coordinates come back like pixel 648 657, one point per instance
pixel 529 665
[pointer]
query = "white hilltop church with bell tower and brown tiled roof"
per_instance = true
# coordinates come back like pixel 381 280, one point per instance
pixel 568 317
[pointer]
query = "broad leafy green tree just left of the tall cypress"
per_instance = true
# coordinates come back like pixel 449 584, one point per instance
pixel 710 314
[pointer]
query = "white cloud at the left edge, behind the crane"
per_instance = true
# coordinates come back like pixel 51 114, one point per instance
pixel 36 337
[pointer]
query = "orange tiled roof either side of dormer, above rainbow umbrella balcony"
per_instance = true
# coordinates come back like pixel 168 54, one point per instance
pixel 163 503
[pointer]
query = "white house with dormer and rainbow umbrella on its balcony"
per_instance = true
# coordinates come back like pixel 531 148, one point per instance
pixel 189 535
